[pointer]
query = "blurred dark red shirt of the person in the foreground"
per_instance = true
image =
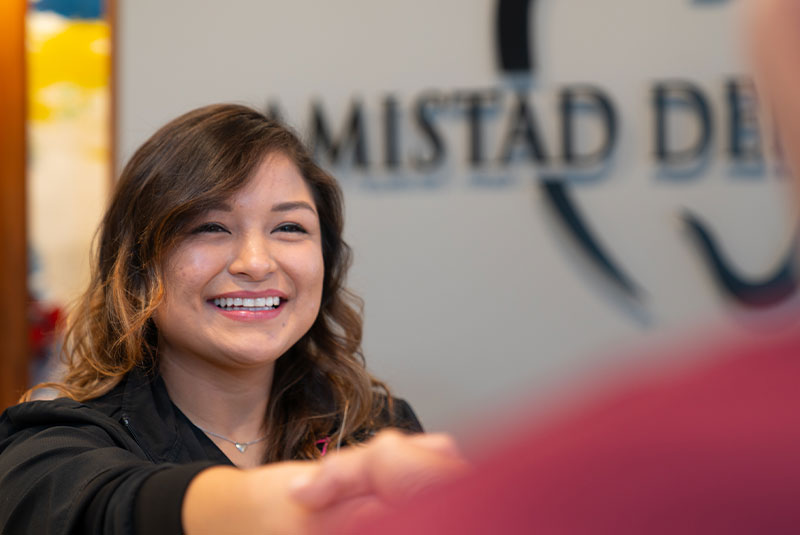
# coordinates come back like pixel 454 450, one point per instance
pixel 714 450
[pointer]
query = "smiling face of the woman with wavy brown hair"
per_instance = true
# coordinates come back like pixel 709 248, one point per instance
pixel 246 282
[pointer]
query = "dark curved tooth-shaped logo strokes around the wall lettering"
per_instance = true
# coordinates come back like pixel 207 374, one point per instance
pixel 515 35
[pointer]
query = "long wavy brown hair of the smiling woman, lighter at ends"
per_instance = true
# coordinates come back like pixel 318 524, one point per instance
pixel 320 386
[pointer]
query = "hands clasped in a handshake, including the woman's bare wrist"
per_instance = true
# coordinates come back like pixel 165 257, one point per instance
pixel 306 496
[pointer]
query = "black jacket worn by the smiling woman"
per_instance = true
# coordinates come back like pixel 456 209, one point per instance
pixel 120 463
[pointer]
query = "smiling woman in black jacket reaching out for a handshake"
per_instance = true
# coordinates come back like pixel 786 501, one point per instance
pixel 216 331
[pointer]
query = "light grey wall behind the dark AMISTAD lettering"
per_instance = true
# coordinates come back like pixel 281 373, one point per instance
pixel 474 295
